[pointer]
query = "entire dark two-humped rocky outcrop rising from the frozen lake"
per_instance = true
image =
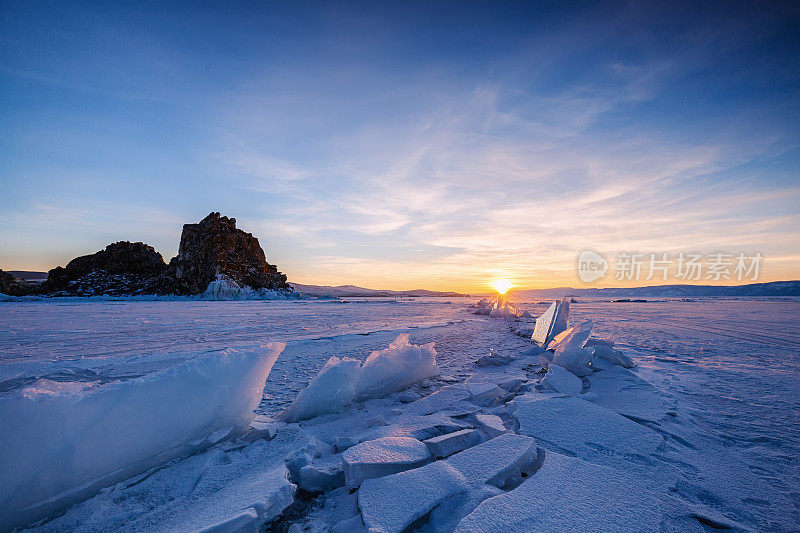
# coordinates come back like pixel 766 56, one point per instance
pixel 210 248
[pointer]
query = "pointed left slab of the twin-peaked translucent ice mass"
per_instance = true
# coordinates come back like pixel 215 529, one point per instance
pixel 329 392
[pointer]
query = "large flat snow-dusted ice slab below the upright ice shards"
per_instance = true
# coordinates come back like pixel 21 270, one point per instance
pixel 578 427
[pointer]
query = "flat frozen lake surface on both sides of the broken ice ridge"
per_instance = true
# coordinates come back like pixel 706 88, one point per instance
pixel 732 365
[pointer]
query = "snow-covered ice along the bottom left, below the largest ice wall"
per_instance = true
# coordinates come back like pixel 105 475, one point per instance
pixel 227 488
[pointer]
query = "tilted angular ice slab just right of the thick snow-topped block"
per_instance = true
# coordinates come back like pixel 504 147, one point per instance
pixel 496 461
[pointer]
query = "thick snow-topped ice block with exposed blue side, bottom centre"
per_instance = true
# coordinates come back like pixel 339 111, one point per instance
pixel 382 457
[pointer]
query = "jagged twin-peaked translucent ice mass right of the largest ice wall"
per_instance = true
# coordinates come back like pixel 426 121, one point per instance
pixel 343 381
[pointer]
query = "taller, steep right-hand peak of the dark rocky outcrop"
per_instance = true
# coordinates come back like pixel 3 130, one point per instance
pixel 215 246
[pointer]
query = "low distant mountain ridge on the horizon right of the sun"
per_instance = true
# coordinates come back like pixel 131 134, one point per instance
pixel 775 288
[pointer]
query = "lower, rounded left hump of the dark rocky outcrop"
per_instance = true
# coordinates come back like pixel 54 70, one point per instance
pixel 122 268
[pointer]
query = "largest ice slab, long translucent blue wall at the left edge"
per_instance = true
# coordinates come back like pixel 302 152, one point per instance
pixel 59 444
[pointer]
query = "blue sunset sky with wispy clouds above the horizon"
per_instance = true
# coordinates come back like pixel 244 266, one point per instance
pixel 405 145
